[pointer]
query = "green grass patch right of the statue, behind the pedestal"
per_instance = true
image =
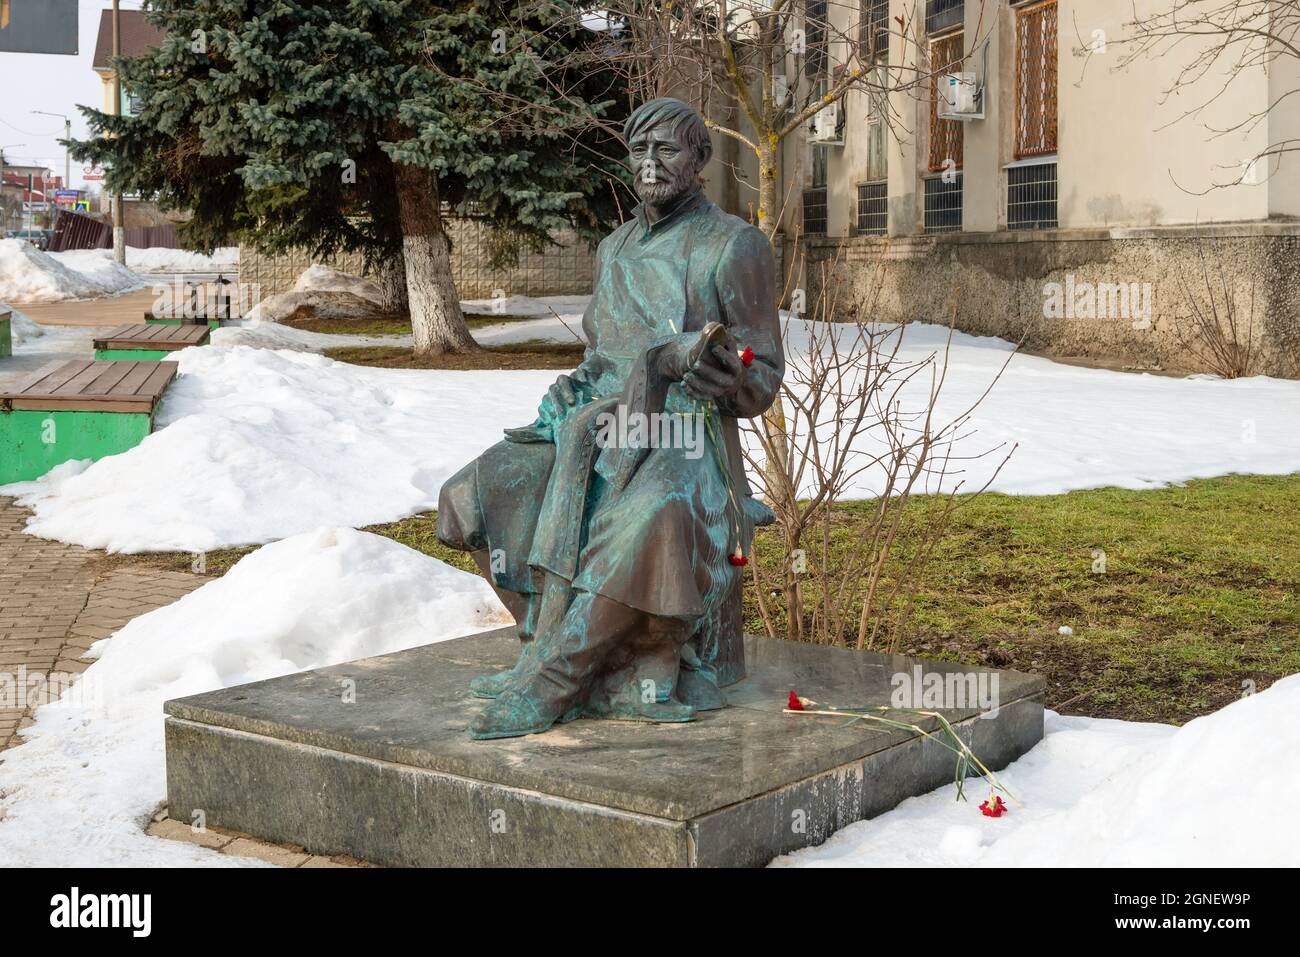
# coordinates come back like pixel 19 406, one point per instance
pixel 1176 596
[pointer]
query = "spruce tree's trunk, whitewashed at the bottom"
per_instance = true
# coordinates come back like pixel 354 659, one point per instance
pixel 437 324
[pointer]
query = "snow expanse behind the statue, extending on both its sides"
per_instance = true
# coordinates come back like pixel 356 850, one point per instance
pixel 275 443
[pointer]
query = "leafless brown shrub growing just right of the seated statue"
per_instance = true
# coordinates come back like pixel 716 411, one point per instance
pixel 860 417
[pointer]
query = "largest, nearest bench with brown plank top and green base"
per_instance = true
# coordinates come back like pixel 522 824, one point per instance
pixel 77 410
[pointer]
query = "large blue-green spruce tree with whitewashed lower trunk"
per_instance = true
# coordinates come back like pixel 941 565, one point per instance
pixel 354 125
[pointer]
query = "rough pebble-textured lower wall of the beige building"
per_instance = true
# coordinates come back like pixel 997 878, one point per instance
pixel 1000 283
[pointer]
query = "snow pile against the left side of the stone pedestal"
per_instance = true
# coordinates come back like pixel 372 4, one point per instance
pixel 81 789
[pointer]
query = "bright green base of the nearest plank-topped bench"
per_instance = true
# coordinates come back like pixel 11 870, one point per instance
pixel 33 443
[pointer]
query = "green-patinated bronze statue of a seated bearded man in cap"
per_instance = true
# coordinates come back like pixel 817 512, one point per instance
pixel 616 527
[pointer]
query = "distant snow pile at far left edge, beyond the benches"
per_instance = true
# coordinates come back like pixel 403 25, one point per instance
pixel 32 276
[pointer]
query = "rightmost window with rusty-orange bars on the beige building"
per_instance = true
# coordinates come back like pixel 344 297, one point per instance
pixel 1037 80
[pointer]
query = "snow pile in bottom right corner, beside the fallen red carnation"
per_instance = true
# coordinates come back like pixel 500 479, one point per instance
pixel 1217 793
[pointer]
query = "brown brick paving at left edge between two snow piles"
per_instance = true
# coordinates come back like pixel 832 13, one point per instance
pixel 55 603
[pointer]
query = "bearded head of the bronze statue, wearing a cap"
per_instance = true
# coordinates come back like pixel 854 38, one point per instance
pixel 669 148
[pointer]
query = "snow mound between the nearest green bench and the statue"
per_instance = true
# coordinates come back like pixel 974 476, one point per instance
pixel 274 444
